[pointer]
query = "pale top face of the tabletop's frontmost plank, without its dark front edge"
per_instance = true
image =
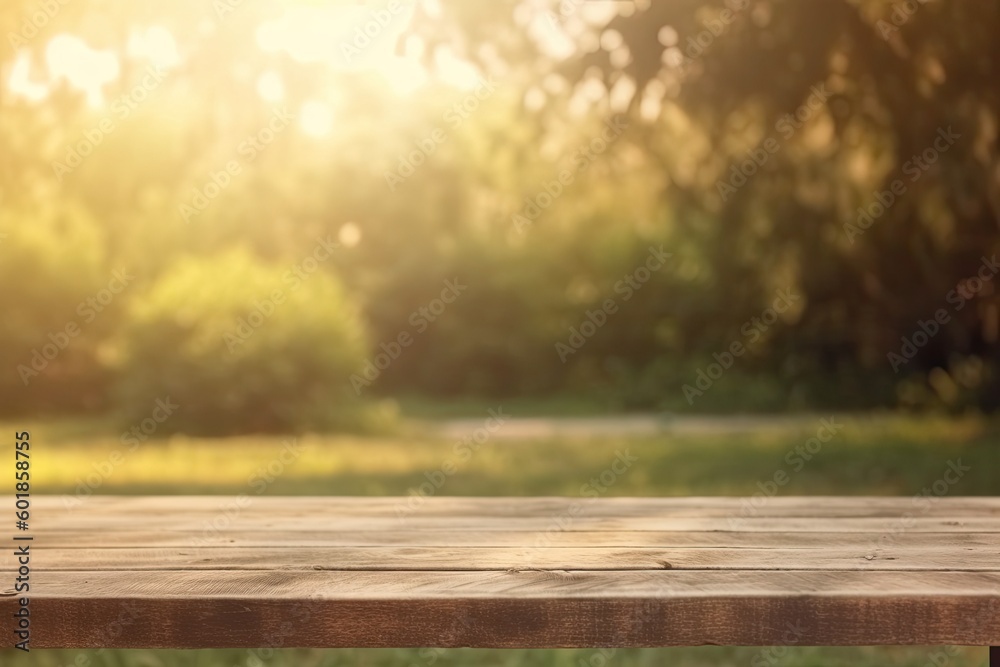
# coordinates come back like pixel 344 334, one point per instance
pixel 342 585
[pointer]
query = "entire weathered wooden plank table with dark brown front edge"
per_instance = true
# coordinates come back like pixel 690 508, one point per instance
pixel 215 571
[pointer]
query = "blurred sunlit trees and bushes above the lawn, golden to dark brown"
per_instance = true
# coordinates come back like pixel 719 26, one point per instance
pixel 888 94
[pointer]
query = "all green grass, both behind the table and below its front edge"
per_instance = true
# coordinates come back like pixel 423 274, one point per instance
pixel 885 455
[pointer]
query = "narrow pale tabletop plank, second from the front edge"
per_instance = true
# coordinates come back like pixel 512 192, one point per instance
pixel 449 558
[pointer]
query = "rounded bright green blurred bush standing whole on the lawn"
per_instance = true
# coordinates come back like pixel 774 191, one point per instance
pixel 242 347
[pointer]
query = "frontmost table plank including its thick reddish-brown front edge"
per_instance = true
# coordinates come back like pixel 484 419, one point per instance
pixel 504 609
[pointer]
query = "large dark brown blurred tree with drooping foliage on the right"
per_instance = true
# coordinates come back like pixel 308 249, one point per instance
pixel 823 106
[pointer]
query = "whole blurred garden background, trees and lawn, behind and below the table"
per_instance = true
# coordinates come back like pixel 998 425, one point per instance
pixel 360 260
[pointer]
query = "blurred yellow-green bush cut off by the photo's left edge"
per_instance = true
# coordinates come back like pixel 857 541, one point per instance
pixel 52 261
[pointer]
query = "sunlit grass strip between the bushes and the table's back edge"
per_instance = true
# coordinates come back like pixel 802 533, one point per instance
pixel 887 455
